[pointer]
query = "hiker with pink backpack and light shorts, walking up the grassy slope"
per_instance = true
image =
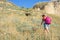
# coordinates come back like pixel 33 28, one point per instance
pixel 46 21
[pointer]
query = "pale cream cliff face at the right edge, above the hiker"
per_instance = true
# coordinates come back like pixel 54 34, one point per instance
pixel 53 8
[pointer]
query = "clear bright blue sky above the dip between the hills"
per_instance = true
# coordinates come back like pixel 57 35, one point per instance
pixel 26 3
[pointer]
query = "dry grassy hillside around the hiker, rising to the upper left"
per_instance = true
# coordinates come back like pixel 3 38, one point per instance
pixel 15 25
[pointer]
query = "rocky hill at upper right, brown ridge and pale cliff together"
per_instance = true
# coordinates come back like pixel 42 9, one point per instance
pixel 49 7
